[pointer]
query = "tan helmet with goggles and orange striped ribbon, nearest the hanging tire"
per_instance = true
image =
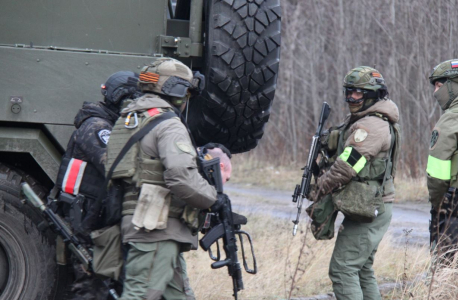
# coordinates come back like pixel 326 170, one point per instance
pixel 170 77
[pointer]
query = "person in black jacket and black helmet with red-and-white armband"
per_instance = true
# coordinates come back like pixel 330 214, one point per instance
pixel 82 171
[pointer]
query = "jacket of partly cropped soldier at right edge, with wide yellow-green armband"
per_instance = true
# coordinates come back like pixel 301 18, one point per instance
pixel 442 165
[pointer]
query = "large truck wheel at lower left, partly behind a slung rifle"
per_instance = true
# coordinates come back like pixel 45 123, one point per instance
pixel 28 268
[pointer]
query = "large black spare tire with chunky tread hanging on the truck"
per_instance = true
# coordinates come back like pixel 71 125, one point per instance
pixel 242 52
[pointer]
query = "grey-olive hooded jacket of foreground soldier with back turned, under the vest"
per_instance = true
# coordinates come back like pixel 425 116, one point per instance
pixel 170 142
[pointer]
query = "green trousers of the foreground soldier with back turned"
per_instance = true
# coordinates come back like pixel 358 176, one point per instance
pixel 156 271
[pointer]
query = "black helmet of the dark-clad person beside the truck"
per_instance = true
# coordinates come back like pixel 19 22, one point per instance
pixel 120 86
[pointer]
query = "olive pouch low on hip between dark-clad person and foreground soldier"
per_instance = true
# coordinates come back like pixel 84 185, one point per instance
pixel 107 256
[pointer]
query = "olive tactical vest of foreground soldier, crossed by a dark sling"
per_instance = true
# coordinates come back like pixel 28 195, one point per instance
pixel 136 167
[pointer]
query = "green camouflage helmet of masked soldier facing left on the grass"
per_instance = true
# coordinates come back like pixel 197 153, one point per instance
pixel 367 80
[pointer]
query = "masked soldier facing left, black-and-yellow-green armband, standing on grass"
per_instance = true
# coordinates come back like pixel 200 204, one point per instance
pixel 364 143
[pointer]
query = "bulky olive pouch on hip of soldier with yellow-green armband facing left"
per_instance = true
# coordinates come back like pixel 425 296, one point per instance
pixel 359 201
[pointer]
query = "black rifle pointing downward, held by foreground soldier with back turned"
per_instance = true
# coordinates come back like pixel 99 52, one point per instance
pixel 224 226
